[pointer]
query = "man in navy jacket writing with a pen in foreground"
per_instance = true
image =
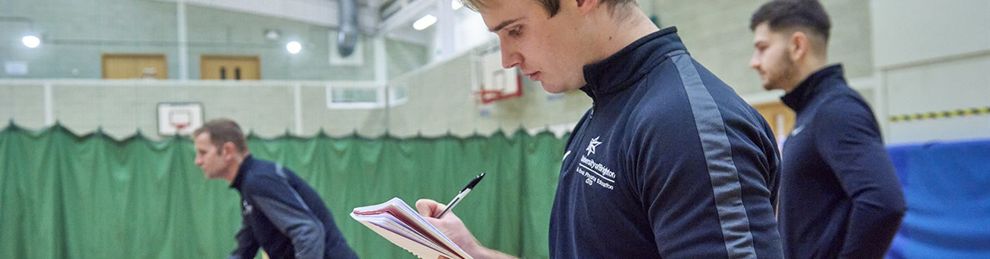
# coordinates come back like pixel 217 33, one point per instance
pixel 668 163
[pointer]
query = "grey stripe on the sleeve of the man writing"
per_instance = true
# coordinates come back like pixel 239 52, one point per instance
pixel 718 155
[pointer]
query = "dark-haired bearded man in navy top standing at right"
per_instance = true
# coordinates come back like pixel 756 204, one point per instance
pixel 839 197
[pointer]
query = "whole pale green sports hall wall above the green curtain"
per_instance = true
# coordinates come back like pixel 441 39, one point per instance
pixel 908 75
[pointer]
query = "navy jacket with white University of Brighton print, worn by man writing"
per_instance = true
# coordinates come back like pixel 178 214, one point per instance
pixel 668 162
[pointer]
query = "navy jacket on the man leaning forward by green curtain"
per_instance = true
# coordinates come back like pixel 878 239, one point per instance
pixel 283 215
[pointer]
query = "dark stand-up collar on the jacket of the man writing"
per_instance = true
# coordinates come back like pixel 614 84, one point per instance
pixel 630 64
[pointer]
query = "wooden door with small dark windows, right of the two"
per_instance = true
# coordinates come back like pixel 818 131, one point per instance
pixel 230 68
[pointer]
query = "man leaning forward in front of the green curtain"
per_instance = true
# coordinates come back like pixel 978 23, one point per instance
pixel 281 213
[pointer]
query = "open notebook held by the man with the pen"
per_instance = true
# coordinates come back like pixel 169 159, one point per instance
pixel 403 226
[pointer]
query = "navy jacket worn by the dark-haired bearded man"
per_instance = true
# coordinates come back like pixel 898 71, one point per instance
pixel 839 195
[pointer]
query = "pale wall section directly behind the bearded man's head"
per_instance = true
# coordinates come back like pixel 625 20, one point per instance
pixel 717 33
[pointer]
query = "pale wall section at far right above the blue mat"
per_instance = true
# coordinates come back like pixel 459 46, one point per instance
pixel 933 57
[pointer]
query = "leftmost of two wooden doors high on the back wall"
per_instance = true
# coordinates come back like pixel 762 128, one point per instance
pixel 134 66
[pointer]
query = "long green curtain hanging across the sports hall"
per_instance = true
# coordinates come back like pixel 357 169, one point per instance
pixel 69 196
